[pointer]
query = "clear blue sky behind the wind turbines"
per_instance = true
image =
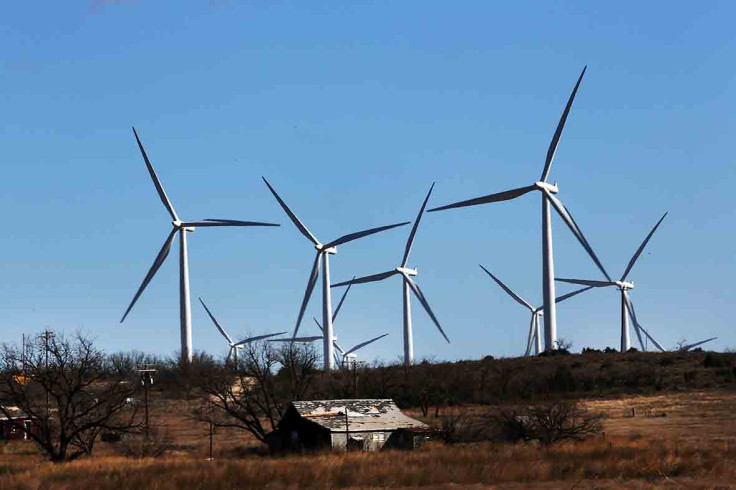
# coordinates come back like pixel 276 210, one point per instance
pixel 352 111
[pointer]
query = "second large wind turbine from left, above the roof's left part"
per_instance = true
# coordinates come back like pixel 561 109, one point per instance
pixel 323 255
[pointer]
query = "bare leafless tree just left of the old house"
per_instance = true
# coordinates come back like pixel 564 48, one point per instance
pixel 254 393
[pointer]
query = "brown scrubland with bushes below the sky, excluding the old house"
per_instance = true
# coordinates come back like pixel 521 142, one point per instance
pixel 594 419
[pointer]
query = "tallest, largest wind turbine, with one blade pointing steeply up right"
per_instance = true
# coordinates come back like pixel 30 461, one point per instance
pixel 548 190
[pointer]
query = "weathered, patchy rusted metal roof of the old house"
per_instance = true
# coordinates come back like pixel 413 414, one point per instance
pixel 362 415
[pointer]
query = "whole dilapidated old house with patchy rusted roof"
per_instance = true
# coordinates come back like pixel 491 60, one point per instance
pixel 367 425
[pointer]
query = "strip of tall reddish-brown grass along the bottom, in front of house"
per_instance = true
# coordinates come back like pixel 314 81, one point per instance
pixel 598 463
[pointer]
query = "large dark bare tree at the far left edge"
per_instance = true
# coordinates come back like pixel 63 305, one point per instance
pixel 69 389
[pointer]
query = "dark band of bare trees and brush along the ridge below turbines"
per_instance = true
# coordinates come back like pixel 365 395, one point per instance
pixel 74 392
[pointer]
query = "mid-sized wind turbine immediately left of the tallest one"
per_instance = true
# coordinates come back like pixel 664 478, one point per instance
pixel 408 285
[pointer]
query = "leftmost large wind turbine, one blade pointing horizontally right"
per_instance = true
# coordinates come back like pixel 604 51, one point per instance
pixel 181 228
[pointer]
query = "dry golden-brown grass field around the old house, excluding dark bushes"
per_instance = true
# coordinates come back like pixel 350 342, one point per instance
pixel 683 440
